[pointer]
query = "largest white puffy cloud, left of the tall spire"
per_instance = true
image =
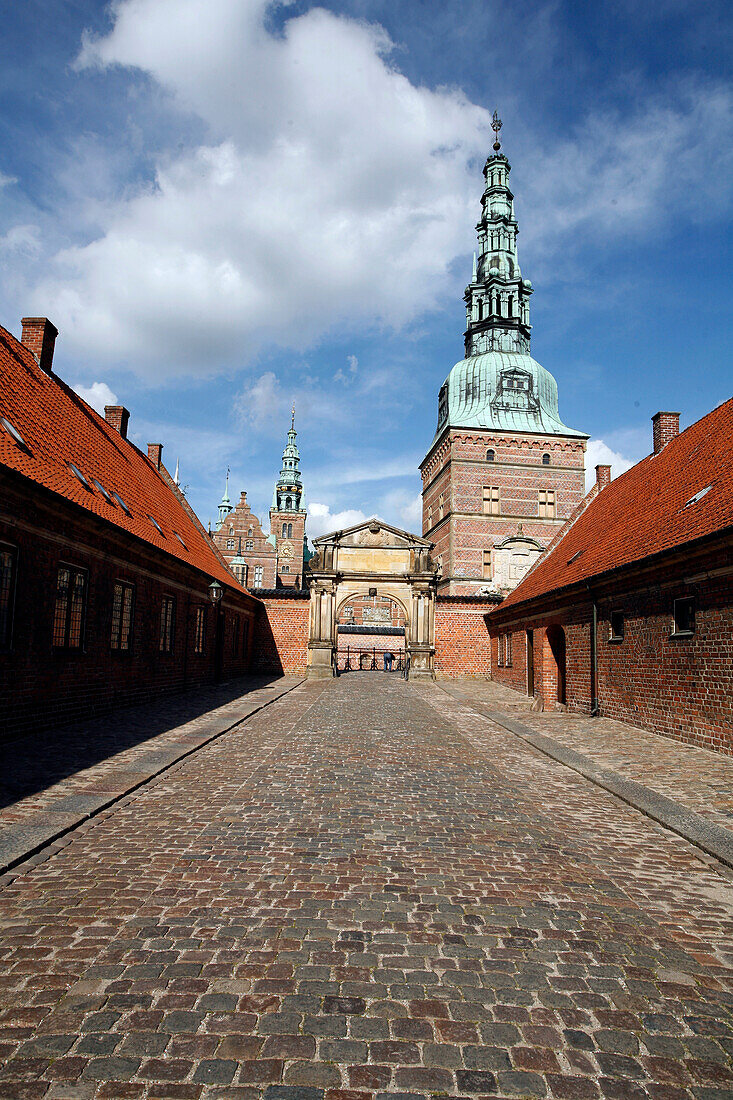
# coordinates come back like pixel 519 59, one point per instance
pixel 331 189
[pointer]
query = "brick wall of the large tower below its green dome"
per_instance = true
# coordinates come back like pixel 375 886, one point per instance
pixel 457 476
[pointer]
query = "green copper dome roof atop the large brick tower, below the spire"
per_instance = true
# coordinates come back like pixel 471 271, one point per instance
pixel 504 391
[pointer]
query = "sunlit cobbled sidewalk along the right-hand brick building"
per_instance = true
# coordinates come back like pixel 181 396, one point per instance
pixel 697 778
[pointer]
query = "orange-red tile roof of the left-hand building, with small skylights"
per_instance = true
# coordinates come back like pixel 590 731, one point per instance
pixel 60 428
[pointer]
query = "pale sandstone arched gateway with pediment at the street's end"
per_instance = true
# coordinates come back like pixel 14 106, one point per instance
pixel 373 560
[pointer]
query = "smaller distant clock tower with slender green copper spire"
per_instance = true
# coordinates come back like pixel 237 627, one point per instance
pixel 288 516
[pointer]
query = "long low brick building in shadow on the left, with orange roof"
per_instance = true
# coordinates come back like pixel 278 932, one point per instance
pixel 105 570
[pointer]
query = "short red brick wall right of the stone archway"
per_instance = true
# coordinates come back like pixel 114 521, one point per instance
pixel 463 644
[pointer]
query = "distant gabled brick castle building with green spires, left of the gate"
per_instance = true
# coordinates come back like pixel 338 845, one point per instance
pixel 277 560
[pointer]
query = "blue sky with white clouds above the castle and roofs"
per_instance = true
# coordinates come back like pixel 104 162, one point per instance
pixel 231 205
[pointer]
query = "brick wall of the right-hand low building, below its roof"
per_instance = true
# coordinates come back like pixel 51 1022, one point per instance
pixel 682 688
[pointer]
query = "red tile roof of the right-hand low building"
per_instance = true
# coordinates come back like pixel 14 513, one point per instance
pixel 647 511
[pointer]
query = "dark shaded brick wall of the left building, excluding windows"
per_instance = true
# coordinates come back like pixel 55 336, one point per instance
pixel 40 685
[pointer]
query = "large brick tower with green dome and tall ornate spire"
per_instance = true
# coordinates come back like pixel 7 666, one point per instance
pixel 504 472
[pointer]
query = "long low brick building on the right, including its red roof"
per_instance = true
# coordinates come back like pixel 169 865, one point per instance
pixel 630 615
